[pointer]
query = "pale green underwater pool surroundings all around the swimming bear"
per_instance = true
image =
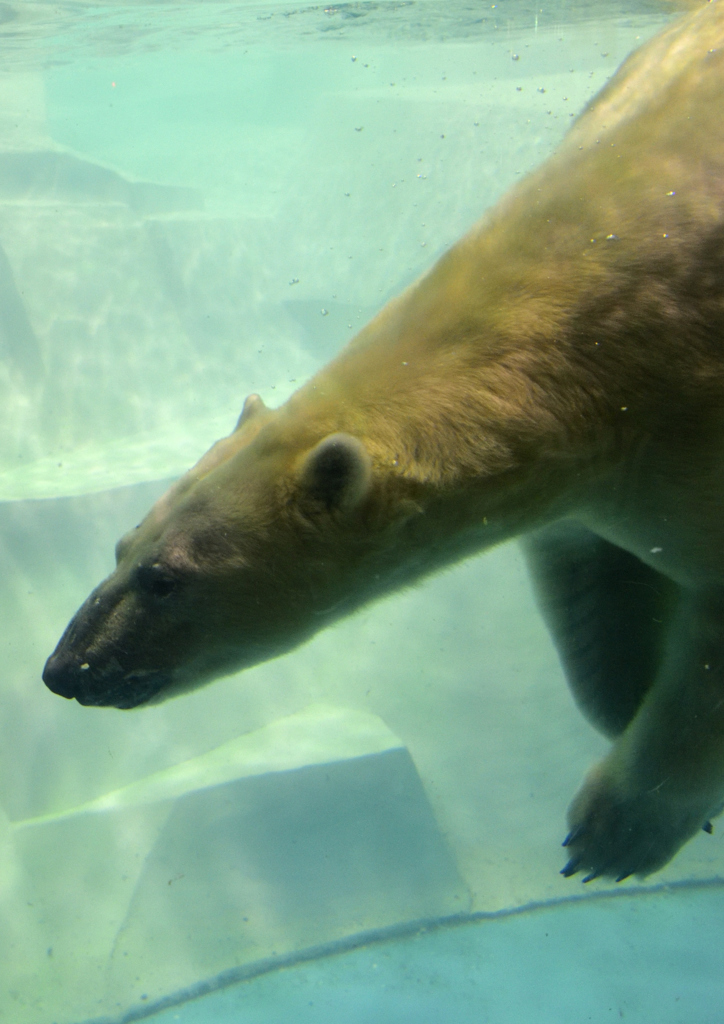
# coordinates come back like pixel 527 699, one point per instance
pixel 199 201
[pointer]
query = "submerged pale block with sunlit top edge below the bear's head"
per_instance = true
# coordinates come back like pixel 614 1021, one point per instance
pixel 311 830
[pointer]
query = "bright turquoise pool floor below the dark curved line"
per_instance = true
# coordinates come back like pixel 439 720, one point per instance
pixel 652 959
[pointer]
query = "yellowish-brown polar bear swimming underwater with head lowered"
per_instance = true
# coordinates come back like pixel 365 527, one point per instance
pixel 559 376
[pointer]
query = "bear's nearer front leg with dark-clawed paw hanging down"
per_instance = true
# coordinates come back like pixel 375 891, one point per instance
pixel 664 779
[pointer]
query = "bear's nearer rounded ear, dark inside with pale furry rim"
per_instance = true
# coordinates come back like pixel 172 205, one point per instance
pixel 337 472
